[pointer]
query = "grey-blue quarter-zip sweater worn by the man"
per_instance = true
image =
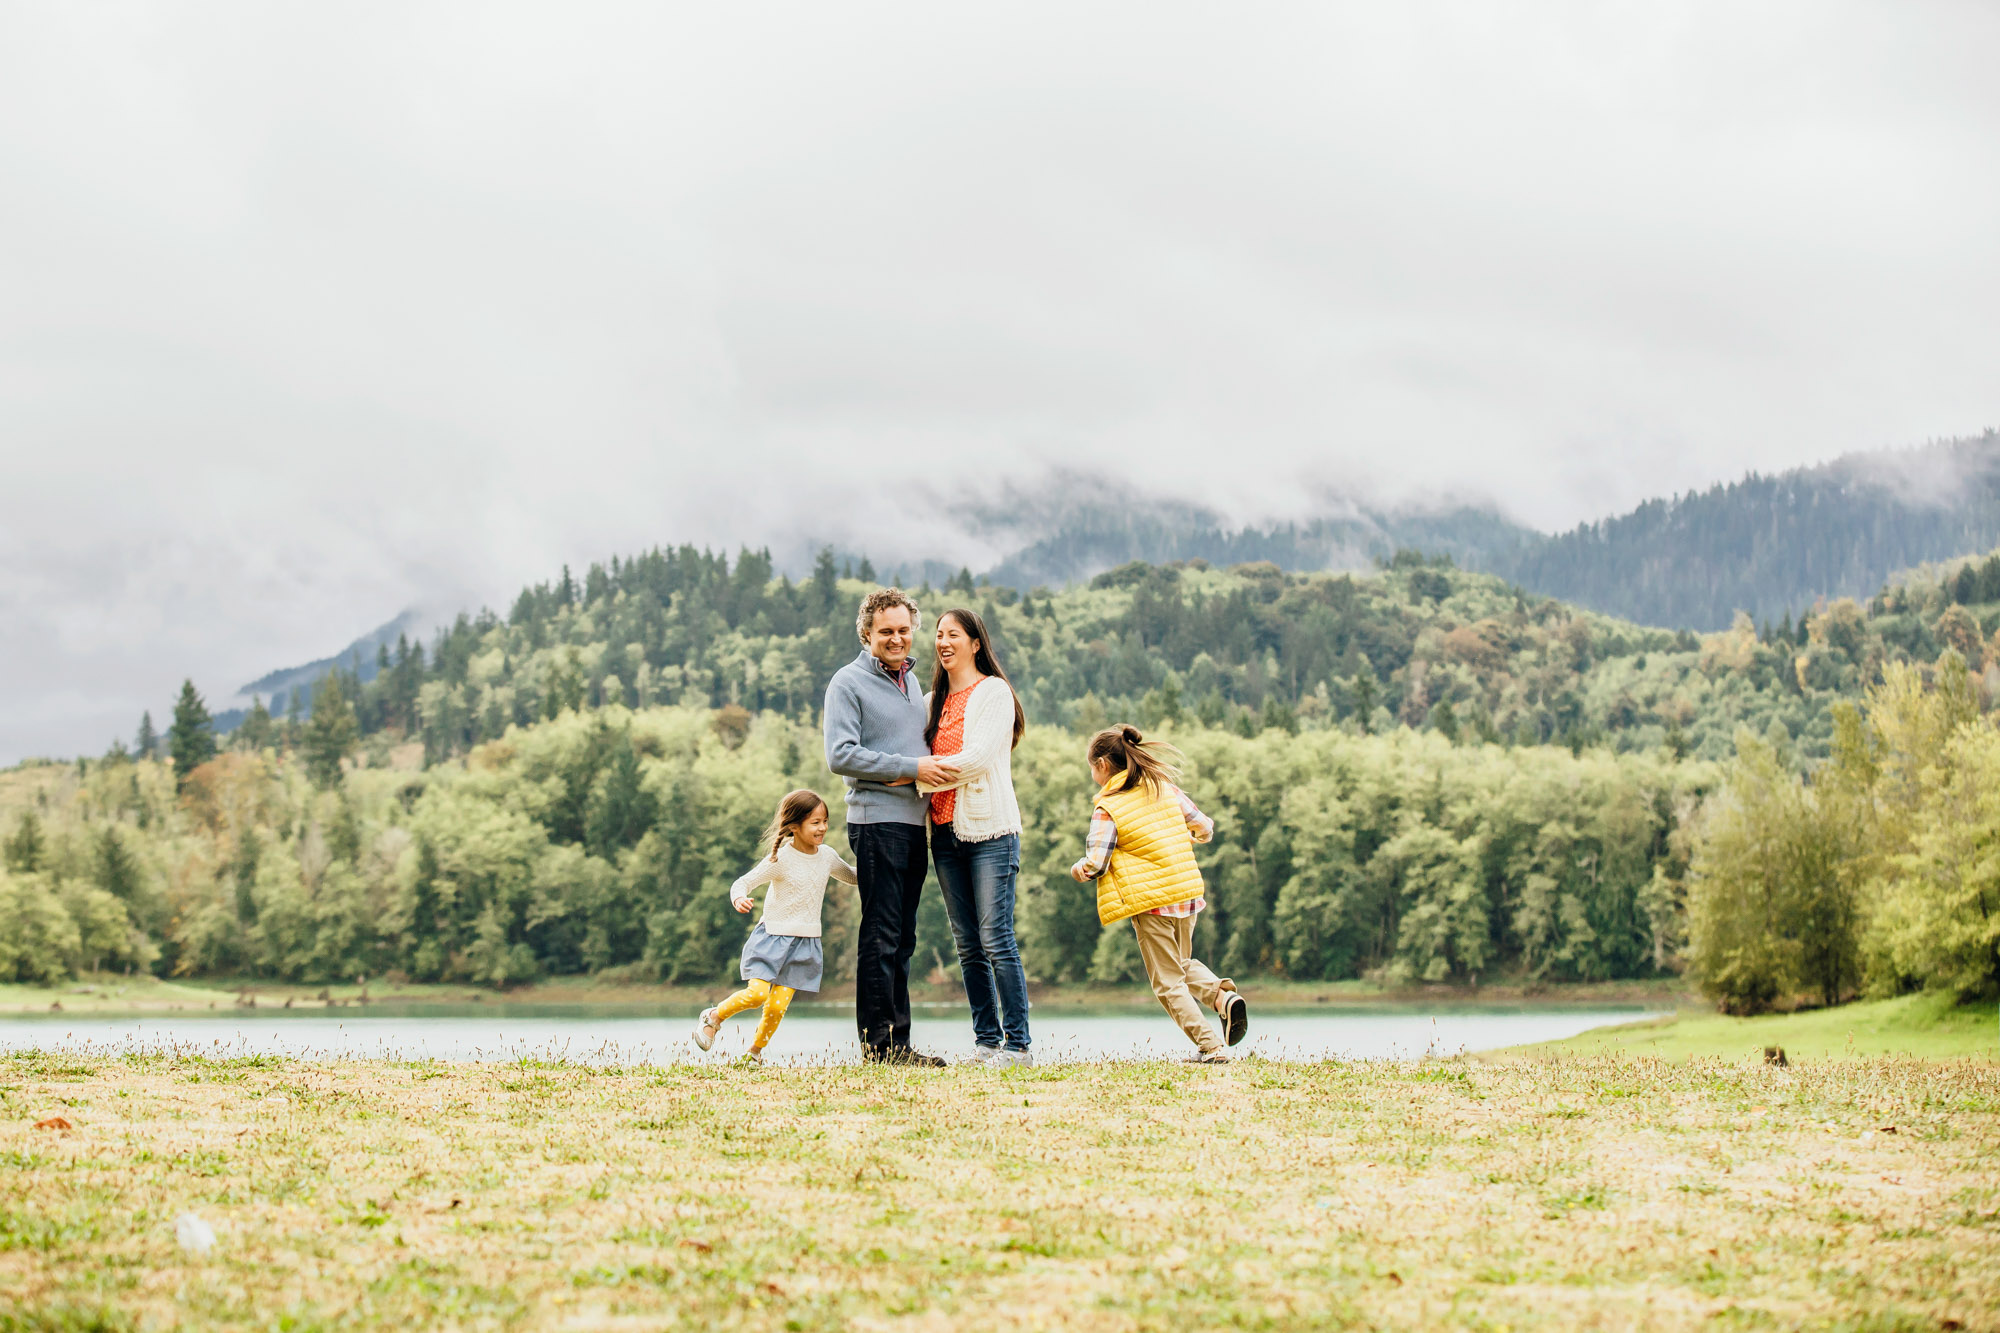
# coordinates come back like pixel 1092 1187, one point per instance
pixel 875 736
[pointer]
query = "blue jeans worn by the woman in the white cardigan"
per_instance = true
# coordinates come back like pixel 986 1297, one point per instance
pixel 979 898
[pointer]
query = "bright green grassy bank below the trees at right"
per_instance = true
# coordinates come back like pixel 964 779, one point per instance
pixel 1927 1026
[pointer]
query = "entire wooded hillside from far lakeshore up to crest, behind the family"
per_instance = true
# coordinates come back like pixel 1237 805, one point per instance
pixel 1419 774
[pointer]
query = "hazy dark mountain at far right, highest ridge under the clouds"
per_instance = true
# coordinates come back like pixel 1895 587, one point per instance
pixel 1773 545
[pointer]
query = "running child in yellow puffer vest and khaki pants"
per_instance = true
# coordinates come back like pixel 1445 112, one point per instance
pixel 1141 852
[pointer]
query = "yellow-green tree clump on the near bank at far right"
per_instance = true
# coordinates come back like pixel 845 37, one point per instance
pixel 1873 874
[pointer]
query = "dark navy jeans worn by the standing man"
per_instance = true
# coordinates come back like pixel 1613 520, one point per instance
pixel 891 862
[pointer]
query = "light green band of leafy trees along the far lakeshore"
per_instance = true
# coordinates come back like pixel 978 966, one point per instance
pixel 603 842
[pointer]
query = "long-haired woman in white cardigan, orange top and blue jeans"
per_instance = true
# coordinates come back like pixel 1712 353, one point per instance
pixel 975 832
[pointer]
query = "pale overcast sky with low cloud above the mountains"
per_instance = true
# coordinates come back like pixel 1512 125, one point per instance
pixel 315 313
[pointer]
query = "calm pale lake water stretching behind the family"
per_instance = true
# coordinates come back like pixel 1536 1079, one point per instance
pixel 815 1034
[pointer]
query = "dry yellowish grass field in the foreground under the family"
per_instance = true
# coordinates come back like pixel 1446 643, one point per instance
pixel 1557 1194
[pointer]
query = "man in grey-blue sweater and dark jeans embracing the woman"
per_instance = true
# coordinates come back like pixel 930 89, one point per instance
pixel 875 740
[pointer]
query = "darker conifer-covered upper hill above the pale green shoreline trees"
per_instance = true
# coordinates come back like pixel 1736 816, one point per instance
pixel 1419 643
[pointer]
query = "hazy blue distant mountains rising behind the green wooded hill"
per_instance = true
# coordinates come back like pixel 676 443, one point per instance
pixel 1765 545
